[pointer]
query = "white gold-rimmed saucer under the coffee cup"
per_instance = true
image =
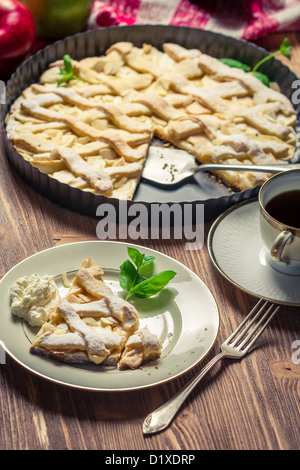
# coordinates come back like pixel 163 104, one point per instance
pixel 236 248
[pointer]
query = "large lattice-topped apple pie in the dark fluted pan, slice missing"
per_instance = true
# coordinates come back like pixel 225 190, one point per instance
pixel 94 131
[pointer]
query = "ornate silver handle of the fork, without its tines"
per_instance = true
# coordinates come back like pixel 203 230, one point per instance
pixel 162 417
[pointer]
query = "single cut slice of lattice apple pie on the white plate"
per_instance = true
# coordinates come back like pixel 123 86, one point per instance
pixel 92 324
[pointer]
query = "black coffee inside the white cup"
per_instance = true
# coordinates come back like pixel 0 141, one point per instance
pixel 285 208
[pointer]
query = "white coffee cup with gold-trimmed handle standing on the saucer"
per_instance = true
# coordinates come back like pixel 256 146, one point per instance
pixel 281 240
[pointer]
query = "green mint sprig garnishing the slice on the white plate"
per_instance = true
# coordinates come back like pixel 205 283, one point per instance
pixel 132 280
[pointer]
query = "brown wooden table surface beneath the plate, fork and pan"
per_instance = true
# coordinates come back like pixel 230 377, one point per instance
pixel 247 404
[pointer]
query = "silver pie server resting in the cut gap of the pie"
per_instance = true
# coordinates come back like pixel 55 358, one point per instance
pixel 167 167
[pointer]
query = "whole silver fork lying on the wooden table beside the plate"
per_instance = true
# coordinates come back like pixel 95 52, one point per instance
pixel 236 346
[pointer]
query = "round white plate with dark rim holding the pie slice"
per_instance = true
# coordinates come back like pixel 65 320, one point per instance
pixel 186 323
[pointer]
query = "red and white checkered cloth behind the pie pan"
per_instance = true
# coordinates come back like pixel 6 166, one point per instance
pixel 247 20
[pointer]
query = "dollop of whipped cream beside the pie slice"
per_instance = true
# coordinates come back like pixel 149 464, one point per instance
pixel 34 298
